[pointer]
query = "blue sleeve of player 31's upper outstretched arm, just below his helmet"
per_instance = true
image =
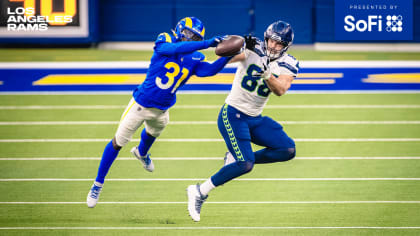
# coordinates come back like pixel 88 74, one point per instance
pixel 170 49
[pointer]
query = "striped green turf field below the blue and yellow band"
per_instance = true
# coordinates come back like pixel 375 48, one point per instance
pixel 339 184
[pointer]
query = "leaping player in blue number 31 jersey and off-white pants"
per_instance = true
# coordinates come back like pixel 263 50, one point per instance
pixel 174 60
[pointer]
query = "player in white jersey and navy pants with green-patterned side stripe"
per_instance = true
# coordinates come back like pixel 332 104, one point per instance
pixel 264 68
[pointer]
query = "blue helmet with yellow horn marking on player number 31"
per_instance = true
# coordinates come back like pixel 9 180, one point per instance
pixel 189 29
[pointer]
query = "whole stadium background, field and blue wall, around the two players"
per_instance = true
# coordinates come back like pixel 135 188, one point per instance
pixel 354 111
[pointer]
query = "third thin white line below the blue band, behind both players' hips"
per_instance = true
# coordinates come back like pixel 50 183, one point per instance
pixel 395 122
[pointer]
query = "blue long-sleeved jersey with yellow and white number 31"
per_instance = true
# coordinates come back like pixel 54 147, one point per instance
pixel 171 66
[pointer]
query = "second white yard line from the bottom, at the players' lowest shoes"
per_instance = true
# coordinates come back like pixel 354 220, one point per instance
pixel 245 202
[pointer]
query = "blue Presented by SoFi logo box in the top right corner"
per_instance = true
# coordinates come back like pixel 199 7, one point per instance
pixel 358 20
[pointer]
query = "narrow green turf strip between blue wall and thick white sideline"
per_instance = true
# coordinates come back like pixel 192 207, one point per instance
pixel 72 54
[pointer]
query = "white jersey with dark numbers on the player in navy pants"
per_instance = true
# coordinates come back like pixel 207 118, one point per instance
pixel 249 92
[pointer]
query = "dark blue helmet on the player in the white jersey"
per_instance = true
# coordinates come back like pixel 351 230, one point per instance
pixel 281 32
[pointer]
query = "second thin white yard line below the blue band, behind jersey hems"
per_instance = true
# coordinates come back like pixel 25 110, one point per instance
pixel 103 107
